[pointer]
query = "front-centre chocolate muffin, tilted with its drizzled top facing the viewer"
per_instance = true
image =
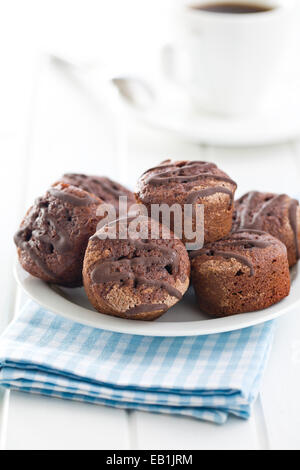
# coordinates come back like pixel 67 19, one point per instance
pixel 135 277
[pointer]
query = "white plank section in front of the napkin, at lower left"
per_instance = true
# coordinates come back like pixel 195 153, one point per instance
pixel 38 422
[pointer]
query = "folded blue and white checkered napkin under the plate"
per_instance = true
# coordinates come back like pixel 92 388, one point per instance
pixel 207 377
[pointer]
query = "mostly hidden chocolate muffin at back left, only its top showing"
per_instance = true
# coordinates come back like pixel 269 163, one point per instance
pixel 107 190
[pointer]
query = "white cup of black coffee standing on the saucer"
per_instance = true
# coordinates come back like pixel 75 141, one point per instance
pixel 227 62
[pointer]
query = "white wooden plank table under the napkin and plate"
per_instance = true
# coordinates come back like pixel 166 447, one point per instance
pixel 65 133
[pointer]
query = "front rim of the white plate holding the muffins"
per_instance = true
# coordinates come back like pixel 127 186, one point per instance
pixel 138 327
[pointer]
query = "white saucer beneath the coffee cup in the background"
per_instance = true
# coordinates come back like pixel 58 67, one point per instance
pixel 172 111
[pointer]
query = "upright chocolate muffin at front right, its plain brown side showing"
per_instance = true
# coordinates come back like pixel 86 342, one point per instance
pixel 245 272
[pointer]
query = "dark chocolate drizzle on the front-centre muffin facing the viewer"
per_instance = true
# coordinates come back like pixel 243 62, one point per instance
pixel 109 270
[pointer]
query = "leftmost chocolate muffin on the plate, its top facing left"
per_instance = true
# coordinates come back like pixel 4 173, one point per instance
pixel 54 234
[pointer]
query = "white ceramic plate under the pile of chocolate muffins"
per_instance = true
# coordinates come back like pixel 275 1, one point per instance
pixel 182 320
